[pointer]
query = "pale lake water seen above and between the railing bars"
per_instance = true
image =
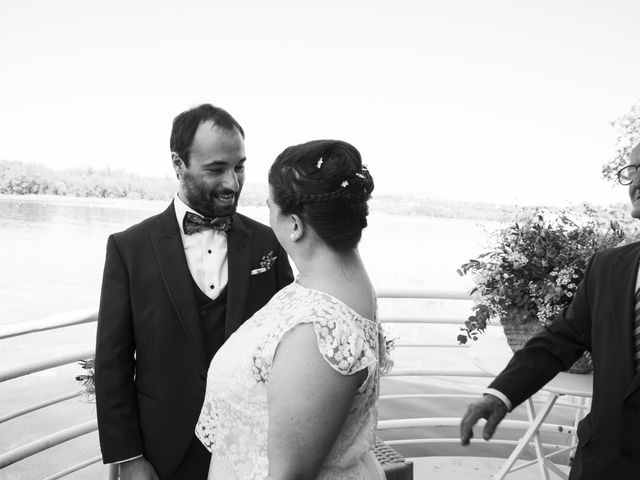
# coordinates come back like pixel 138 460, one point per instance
pixel 51 258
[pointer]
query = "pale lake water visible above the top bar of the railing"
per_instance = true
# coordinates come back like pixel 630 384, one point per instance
pixel 52 250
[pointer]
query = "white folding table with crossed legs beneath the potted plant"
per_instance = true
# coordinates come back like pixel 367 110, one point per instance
pixel 492 354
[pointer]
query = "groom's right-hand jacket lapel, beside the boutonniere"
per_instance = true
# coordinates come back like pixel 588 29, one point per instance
pixel 239 262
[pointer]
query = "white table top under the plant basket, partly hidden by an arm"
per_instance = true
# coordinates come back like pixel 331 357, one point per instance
pixel 492 354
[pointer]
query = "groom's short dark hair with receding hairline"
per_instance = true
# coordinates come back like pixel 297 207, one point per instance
pixel 185 126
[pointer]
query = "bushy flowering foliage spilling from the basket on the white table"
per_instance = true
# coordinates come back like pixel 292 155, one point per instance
pixel 535 265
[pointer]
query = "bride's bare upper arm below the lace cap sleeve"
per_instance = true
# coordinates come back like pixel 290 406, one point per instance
pixel 308 404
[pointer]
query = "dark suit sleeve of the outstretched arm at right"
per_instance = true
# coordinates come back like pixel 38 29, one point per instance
pixel 552 351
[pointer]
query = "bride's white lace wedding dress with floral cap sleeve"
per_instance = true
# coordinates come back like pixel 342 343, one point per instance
pixel 234 418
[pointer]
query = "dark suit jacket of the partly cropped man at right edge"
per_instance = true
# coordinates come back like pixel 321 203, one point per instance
pixel 600 319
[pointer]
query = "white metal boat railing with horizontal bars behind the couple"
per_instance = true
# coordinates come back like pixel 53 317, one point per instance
pixel 385 426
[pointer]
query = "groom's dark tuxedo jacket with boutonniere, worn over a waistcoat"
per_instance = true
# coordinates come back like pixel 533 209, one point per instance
pixel 151 361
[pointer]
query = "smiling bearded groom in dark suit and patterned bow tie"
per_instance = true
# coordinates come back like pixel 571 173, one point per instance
pixel 175 286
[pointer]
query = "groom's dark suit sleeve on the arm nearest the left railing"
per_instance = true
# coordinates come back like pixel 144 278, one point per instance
pixel 116 403
